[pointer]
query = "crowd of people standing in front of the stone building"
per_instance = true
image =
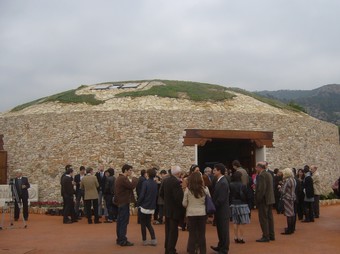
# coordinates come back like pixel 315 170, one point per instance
pixel 180 198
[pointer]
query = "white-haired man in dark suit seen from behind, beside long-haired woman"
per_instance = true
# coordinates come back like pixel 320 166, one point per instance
pixel 172 194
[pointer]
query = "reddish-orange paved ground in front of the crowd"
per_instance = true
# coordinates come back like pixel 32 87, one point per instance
pixel 47 234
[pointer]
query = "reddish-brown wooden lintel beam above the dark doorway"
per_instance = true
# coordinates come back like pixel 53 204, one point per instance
pixel 200 137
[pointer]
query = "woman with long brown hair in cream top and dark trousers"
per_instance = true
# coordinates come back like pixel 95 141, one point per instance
pixel 194 202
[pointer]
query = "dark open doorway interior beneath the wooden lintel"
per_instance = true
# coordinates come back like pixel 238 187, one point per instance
pixel 225 151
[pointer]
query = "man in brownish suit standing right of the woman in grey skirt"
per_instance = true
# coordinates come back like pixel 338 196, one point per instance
pixel 264 198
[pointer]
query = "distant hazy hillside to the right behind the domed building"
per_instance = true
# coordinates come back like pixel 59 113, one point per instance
pixel 322 103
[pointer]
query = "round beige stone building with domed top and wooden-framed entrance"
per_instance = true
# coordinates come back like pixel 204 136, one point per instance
pixel 153 131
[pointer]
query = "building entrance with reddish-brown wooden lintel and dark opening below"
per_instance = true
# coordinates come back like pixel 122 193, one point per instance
pixel 224 146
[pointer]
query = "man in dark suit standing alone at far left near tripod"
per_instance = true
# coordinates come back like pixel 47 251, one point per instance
pixel 21 186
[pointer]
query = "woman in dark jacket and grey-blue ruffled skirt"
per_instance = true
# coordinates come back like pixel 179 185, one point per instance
pixel 239 206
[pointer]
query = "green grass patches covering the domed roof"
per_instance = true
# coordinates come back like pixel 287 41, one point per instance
pixel 194 91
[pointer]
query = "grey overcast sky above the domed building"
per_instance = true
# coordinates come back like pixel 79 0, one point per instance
pixel 50 46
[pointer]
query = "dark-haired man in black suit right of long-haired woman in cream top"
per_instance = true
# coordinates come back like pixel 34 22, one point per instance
pixel 221 200
